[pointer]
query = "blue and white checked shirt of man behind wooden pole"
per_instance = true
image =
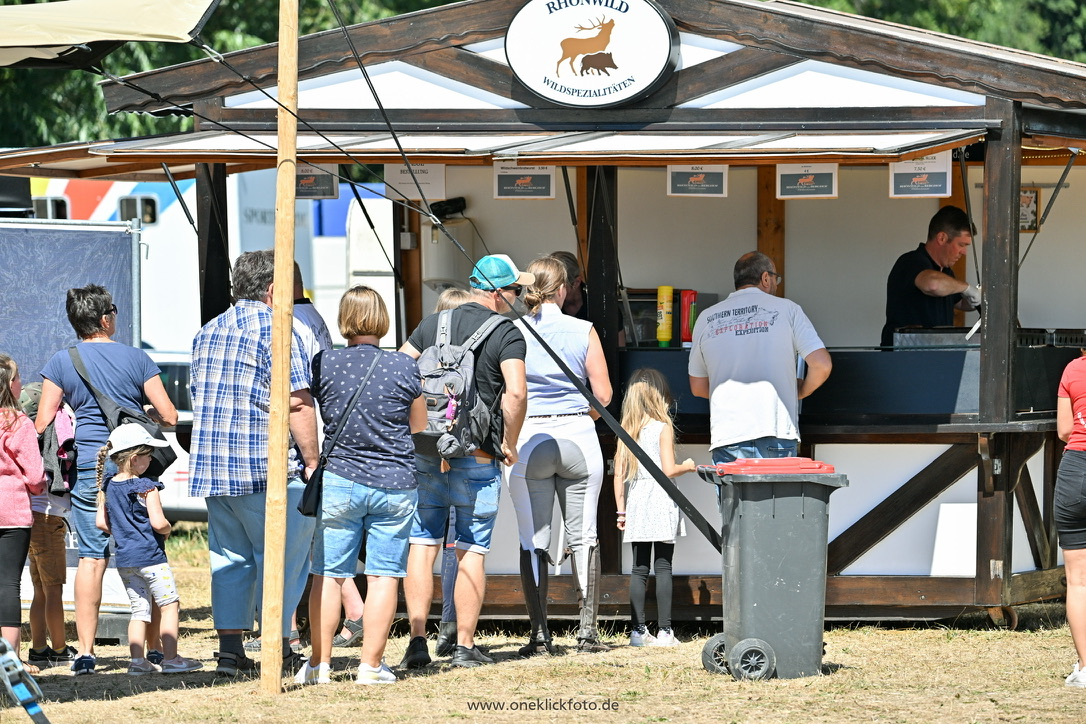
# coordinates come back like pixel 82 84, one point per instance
pixel 231 386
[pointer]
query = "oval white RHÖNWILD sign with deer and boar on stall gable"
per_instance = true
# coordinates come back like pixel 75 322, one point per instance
pixel 592 54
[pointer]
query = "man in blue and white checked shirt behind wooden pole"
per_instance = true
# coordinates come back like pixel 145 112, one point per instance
pixel 232 376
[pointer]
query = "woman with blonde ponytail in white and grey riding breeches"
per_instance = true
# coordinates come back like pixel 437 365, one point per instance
pixel 559 455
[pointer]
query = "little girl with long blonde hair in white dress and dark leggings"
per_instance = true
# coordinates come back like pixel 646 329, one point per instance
pixel 649 518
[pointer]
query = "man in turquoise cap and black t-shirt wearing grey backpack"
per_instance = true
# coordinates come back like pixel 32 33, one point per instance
pixel 472 485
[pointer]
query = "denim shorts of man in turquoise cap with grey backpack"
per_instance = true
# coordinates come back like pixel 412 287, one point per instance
pixel 473 487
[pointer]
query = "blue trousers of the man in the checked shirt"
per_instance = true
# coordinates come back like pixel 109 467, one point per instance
pixel 236 539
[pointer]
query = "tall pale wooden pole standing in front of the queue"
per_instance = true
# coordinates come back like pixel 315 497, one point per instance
pixel 283 310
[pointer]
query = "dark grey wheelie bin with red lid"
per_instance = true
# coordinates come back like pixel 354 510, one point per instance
pixel 775 515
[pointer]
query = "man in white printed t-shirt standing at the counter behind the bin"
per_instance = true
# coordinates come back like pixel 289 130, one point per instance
pixel 744 361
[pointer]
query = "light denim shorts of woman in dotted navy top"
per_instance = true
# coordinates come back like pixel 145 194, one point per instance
pixel 347 511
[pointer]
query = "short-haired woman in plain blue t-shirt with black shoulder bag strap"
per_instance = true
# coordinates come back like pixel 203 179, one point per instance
pixel 128 376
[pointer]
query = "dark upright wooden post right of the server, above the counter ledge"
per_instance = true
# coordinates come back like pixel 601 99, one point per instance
pixel 1003 182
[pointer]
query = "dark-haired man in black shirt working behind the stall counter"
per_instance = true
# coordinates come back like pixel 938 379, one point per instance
pixel 921 290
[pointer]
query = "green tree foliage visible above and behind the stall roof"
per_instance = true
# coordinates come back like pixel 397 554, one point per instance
pixel 52 107
